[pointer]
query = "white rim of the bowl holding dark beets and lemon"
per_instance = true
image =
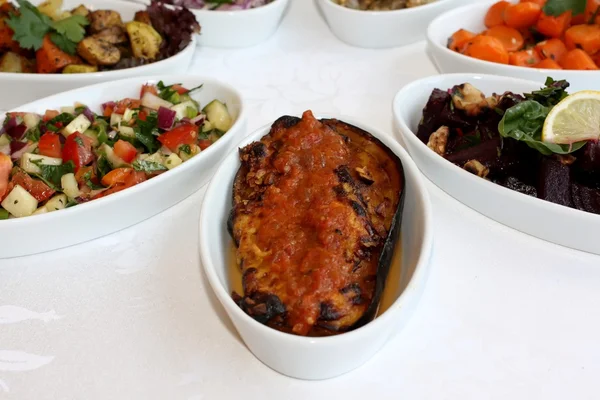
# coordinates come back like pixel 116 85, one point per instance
pixel 409 135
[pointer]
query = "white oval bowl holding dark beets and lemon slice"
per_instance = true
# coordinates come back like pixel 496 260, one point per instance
pixel 540 218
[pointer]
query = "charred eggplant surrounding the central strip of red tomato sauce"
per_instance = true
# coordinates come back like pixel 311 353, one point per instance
pixel 268 305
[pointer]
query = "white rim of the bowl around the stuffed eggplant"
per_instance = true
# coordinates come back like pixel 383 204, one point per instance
pixel 424 257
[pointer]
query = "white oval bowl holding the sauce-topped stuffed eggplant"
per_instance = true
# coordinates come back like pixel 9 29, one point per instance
pixel 317 358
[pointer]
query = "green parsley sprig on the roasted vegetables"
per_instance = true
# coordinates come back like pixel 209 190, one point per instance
pixel 30 26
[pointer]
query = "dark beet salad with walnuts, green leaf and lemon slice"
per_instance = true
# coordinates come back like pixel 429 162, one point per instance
pixel 543 144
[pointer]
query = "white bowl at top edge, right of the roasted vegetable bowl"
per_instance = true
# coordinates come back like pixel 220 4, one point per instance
pixel 239 28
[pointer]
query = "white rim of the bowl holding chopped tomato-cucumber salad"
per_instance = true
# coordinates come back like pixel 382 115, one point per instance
pixel 116 197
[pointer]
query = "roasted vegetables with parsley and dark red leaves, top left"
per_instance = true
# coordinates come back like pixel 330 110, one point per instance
pixel 82 40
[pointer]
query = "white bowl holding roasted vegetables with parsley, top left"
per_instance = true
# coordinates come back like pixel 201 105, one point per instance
pixel 18 89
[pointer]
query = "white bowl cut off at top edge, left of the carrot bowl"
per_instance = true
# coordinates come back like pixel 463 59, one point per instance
pixel 381 29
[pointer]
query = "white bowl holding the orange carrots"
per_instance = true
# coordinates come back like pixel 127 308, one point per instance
pixel 471 18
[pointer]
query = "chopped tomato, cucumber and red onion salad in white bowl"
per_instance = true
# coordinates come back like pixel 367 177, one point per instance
pixel 64 158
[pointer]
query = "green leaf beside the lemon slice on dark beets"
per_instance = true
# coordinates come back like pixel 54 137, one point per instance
pixel 524 122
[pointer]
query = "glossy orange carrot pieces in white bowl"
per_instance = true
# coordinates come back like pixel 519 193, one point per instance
pixel 552 34
